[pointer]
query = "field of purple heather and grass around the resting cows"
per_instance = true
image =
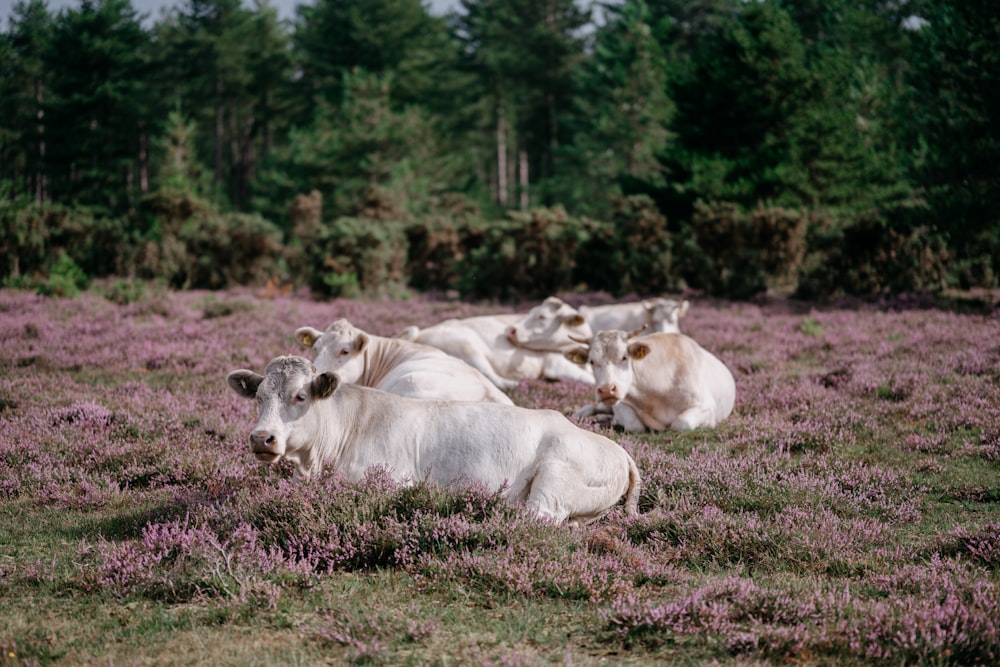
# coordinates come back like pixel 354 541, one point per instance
pixel 848 512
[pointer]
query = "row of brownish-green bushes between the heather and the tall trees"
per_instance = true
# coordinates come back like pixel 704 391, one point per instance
pixel 186 242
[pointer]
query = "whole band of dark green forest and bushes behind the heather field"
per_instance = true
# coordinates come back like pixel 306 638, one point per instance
pixel 513 148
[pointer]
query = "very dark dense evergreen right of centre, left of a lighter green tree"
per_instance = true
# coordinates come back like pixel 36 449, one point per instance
pixel 738 104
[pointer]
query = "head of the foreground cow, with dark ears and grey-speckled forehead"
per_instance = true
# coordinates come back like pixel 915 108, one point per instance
pixel 284 394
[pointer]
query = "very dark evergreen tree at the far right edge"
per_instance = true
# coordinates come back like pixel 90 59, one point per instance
pixel 955 105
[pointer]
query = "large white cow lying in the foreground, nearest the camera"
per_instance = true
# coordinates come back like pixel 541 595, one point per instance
pixel 538 457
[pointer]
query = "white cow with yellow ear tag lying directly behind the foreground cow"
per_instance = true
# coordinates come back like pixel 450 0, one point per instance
pixel 396 366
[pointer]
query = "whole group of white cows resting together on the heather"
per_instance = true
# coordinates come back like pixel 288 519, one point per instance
pixel 428 403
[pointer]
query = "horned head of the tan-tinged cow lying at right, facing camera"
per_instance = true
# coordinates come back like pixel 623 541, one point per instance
pixel 610 355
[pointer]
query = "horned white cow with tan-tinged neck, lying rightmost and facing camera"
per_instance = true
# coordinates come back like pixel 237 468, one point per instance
pixel 656 382
